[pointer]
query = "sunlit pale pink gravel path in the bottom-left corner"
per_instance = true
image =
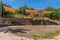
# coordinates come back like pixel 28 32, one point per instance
pixel 8 36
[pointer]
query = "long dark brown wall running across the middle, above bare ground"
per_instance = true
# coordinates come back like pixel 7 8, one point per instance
pixel 17 21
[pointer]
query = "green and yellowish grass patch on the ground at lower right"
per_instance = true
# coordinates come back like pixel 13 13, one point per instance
pixel 49 35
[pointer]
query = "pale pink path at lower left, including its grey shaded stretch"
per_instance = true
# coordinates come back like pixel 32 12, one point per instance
pixel 9 36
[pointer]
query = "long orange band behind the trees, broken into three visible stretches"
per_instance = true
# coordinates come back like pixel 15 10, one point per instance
pixel 27 11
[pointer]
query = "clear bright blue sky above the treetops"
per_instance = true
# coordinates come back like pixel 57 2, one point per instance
pixel 37 4
